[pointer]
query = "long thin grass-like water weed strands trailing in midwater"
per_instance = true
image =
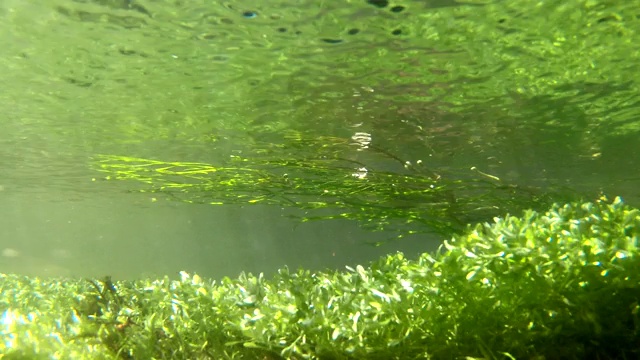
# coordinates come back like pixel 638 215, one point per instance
pixel 329 185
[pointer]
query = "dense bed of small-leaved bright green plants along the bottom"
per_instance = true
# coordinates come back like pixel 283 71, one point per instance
pixel 561 284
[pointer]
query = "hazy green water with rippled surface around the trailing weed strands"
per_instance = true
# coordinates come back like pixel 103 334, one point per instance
pixel 541 95
